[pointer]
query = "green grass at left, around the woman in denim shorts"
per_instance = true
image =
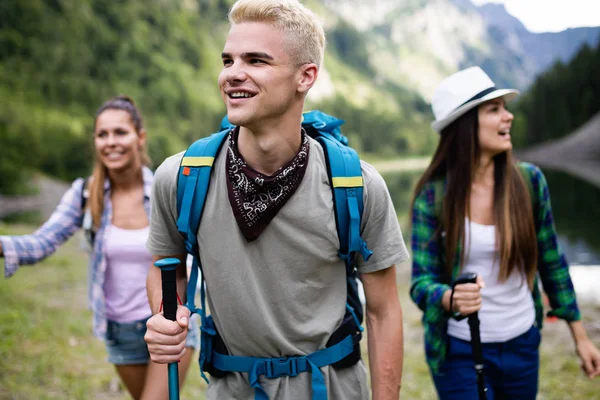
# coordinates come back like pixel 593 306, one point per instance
pixel 47 350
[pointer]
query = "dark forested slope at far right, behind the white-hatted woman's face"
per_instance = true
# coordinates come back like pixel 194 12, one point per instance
pixel 560 100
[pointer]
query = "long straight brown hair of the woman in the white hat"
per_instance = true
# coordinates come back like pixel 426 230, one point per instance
pixel 455 159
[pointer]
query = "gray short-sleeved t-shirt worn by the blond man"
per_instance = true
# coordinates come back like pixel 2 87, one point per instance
pixel 284 293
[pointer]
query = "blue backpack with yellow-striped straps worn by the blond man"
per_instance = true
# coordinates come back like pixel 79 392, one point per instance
pixel 345 176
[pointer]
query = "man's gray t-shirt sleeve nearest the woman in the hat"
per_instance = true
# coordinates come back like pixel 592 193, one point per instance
pixel 380 228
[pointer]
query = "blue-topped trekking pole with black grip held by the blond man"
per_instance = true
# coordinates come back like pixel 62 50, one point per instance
pixel 169 286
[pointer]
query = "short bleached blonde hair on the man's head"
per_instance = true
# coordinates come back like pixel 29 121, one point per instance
pixel 302 30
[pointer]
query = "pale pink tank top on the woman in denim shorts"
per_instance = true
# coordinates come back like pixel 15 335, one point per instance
pixel 127 264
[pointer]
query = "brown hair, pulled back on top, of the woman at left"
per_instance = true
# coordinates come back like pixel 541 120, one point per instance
pixel 99 174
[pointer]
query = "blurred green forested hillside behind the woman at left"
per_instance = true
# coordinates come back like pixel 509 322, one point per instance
pixel 59 60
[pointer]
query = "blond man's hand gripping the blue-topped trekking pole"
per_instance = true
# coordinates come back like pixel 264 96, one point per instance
pixel 166 339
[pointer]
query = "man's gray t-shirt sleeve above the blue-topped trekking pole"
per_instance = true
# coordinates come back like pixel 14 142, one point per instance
pixel 164 238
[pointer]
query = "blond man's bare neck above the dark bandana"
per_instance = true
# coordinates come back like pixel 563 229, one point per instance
pixel 269 147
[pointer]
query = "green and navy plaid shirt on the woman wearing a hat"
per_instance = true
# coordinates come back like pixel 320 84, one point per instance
pixel 428 285
